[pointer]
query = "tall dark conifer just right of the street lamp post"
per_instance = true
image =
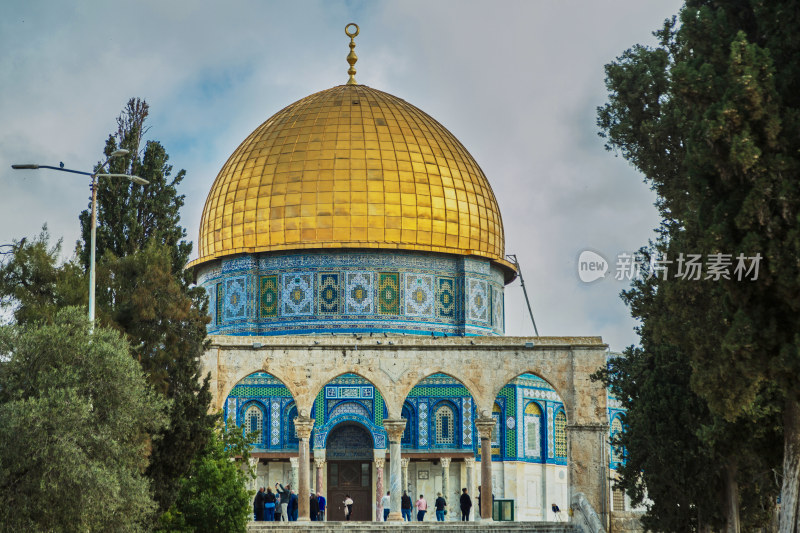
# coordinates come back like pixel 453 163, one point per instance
pixel 144 291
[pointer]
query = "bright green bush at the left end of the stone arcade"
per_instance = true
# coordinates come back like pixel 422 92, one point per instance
pixel 212 497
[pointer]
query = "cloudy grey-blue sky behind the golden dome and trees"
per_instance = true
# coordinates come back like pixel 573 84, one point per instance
pixel 517 82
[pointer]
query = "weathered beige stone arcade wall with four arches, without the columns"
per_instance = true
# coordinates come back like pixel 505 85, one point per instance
pixel 395 364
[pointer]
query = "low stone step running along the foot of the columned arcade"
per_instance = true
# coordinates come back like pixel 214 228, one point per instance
pixel 417 527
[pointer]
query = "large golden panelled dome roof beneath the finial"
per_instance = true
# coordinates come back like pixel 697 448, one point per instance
pixel 351 167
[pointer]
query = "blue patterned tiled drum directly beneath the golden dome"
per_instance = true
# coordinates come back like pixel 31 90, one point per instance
pixel 354 291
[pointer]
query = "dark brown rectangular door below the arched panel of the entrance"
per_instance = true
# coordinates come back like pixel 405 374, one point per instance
pixel 353 478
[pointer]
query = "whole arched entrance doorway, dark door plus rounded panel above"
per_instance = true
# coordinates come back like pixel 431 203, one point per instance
pixel 349 455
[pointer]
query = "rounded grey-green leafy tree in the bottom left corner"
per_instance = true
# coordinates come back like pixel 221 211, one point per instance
pixel 75 418
